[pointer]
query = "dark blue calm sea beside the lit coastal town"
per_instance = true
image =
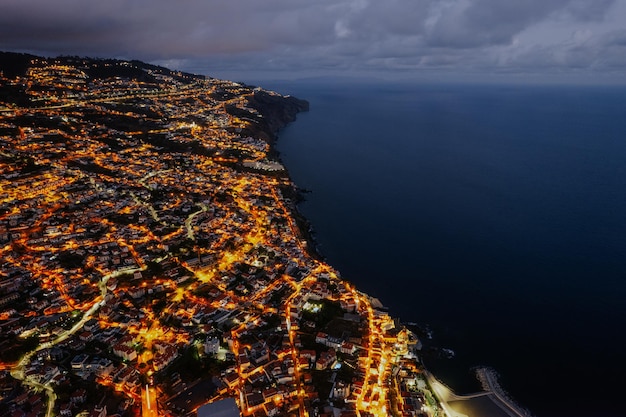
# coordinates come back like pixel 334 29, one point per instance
pixel 494 214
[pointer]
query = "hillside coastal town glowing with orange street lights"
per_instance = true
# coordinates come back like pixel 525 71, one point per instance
pixel 152 259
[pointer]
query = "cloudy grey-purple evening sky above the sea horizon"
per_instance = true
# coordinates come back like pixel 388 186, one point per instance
pixel 578 40
